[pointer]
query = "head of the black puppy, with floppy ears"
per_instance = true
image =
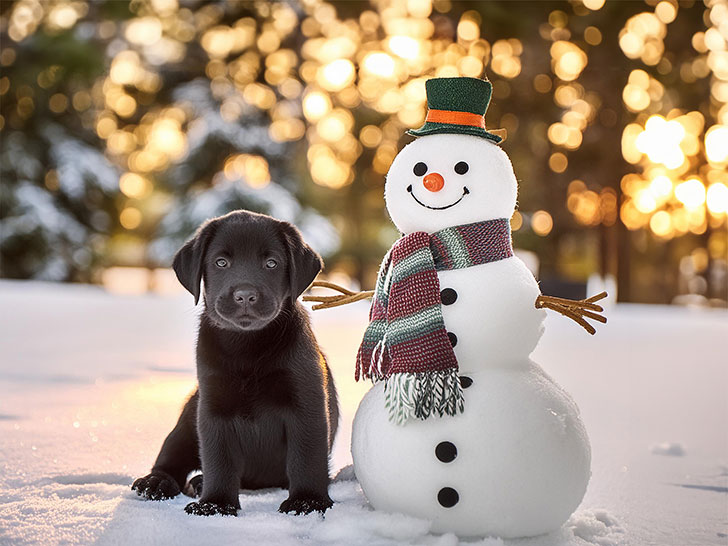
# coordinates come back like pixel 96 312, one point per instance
pixel 251 264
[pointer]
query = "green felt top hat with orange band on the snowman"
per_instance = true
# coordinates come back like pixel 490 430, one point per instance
pixel 458 105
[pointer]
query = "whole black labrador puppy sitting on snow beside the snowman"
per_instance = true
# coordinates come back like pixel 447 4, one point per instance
pixel 265 412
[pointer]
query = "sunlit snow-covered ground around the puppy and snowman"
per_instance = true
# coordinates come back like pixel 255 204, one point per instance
pixel 91 383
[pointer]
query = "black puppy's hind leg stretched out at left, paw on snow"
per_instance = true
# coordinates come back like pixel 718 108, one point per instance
pixel 178 457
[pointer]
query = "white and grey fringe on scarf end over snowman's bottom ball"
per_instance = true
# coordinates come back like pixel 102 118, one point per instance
pixel 423 394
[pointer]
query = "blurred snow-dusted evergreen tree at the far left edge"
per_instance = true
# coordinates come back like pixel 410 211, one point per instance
pixel 57 193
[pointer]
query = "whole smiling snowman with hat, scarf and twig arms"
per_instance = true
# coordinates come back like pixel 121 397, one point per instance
pixel 461 427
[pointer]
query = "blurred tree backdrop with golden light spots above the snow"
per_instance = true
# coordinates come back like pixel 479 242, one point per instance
pixel 125 125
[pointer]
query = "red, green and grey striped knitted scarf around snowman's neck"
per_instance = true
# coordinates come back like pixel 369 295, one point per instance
pixel 406 343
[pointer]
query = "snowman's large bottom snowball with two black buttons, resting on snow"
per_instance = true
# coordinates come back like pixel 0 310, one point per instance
pixel 514 464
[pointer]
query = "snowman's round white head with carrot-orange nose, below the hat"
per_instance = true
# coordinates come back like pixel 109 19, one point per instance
pixel 446 180
